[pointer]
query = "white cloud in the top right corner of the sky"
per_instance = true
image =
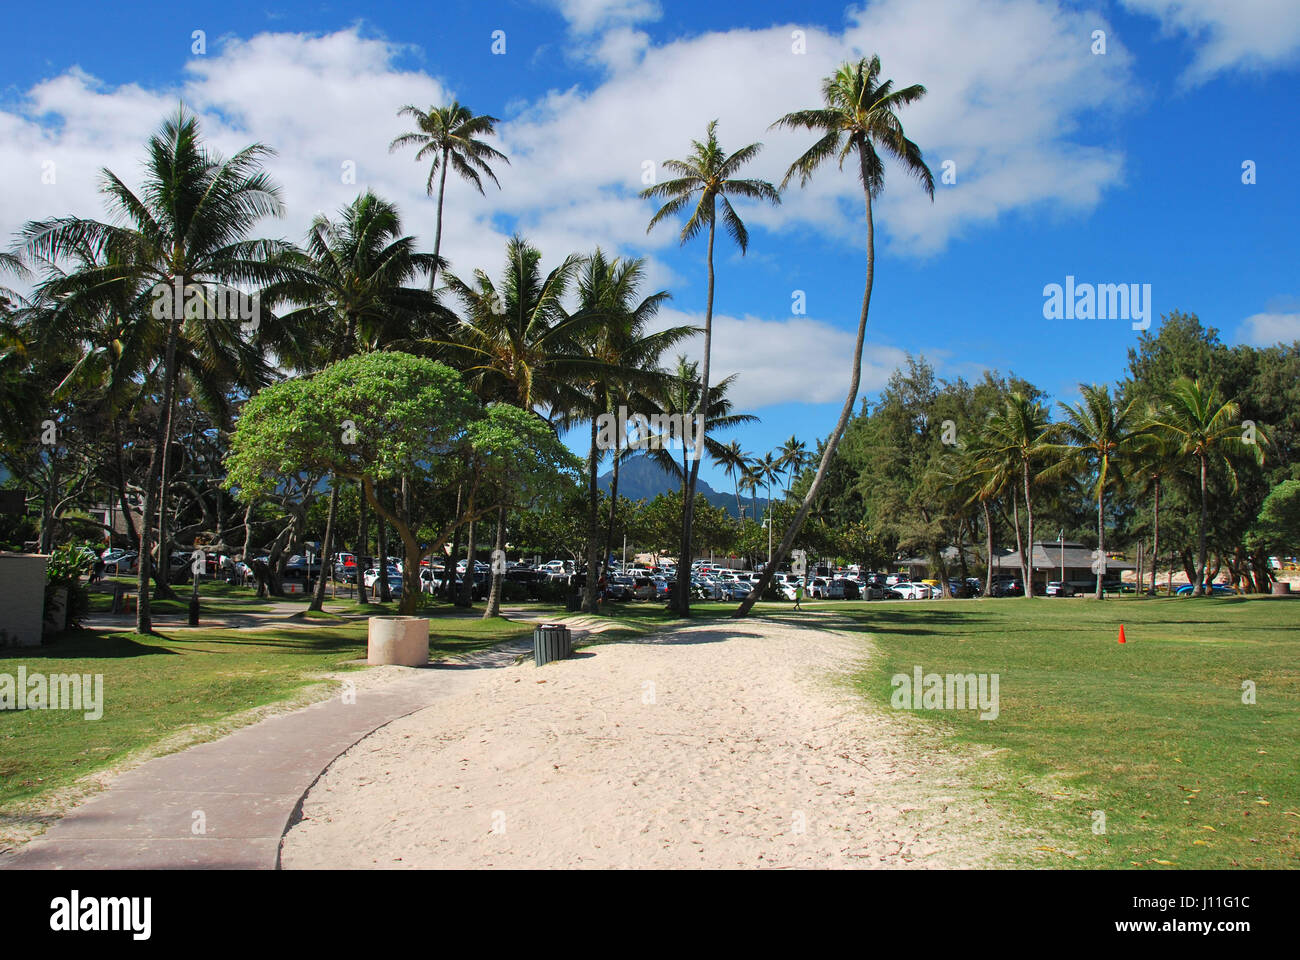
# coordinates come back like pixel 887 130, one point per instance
pixel 1253 34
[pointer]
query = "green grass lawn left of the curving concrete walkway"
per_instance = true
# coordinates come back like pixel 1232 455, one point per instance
pixel 155 686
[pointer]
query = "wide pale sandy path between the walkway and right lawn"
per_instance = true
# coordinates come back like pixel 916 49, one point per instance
pixel 713 747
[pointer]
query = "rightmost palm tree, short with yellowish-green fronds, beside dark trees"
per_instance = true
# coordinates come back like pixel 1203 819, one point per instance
pixel 1203 427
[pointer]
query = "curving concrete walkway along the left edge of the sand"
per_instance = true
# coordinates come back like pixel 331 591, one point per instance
pixel 244 789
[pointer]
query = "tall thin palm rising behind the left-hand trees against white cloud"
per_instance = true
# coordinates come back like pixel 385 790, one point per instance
pixel 449 137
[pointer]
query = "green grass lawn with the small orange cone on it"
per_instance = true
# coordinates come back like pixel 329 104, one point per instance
pixel 1152 733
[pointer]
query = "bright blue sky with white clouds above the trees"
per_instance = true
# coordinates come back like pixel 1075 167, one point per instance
pixel 1116 167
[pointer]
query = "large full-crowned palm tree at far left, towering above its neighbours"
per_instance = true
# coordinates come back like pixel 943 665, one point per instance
pixel 188 227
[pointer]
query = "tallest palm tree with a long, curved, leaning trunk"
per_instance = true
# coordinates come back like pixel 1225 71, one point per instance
pixel 860 119
